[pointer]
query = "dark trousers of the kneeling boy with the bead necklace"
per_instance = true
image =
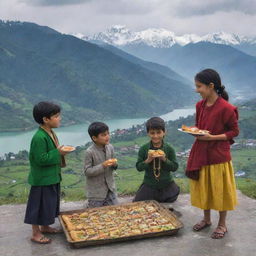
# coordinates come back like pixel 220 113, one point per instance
pixel 168 194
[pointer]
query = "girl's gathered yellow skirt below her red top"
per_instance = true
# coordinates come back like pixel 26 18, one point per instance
pixel 215 189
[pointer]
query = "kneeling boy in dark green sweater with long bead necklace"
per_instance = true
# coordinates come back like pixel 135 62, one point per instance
pixel 158 160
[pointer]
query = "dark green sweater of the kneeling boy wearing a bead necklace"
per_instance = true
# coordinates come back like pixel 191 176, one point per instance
pixel 166 167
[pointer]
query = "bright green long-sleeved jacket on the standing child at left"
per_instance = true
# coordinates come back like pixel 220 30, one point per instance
pixel 45 160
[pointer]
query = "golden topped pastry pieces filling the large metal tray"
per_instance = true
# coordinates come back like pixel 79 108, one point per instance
pixel 117 222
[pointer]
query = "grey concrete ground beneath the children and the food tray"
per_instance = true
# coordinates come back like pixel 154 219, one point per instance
pixel 239 241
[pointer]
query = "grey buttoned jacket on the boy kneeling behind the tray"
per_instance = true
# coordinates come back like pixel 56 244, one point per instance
pixel 98 179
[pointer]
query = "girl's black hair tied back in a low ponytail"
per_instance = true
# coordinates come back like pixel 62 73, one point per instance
pixel 208 76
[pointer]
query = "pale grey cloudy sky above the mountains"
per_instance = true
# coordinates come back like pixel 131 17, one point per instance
pixel 92 16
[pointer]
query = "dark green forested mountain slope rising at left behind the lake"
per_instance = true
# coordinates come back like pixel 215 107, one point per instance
pixel 90 82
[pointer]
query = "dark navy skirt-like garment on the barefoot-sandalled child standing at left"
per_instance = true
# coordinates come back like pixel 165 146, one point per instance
pixel 43 205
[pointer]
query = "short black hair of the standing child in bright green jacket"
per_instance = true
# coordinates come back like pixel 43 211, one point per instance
pixel 45 109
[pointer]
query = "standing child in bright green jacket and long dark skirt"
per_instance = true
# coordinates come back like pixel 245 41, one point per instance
pixel 46 159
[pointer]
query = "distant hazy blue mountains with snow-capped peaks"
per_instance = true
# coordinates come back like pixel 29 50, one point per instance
pixel 188 54
